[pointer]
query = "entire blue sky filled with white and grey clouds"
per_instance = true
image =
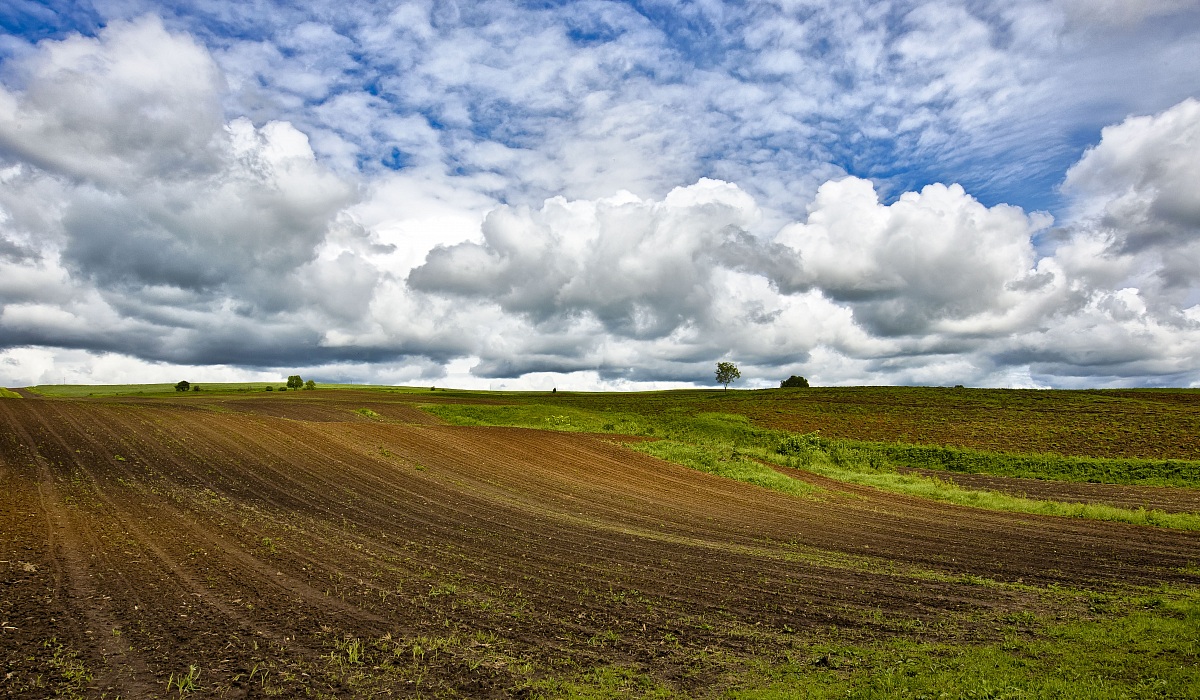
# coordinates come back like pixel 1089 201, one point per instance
pixel 602 195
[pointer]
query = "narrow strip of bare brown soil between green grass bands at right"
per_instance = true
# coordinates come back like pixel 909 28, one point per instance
pixel 1149 498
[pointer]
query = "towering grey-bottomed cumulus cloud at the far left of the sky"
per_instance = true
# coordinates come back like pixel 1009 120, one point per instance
pixel 135 220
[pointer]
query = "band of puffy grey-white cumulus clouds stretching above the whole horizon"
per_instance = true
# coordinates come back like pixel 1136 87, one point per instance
pixel 145 232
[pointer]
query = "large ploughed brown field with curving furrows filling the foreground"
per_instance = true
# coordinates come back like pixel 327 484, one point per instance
pixel 261 541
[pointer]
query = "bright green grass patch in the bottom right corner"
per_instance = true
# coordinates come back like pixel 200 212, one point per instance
pixel 1145 654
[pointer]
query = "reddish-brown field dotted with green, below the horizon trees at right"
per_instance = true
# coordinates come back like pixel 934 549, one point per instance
pixel 1147 423
